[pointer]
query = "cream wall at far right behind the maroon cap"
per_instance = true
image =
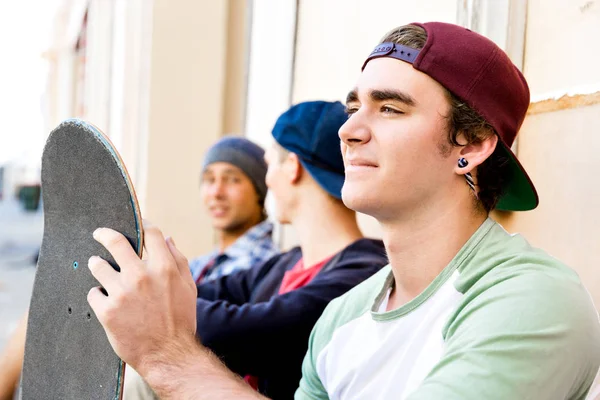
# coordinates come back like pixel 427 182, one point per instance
pixel 560 148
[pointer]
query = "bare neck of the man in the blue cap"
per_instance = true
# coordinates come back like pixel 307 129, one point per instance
pixel 324 227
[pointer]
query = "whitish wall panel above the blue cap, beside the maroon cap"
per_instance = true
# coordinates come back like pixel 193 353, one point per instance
pixel 335 36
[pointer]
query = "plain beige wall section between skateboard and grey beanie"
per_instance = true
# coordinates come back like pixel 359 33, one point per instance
pixel 185 114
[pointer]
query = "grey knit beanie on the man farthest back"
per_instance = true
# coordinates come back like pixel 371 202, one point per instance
pixel 244 154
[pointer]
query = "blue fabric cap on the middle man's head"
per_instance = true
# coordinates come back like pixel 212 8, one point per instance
pixel 310 130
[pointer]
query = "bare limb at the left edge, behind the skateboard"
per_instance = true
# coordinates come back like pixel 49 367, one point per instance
pixel 11 361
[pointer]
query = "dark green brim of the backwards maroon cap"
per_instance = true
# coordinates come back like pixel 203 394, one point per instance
pixel 519 193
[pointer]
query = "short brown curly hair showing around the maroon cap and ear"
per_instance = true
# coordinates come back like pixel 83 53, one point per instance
pixel 462 121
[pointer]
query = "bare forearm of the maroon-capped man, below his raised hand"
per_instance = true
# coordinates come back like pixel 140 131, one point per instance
pixel 193 372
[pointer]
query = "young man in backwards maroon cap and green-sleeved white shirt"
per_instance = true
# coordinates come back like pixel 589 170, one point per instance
pixel 465 310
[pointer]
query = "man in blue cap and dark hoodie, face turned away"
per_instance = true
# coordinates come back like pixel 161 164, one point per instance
pixel 258 321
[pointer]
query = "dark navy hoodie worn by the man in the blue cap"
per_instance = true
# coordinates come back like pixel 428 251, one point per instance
pixel 255 331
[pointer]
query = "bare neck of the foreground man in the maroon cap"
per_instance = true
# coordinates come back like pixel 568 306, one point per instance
pixel 421 246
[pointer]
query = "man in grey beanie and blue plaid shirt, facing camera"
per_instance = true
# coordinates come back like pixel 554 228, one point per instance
pixel 233 191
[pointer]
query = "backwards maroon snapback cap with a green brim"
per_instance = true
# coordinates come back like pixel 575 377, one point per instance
pixel 478 72
